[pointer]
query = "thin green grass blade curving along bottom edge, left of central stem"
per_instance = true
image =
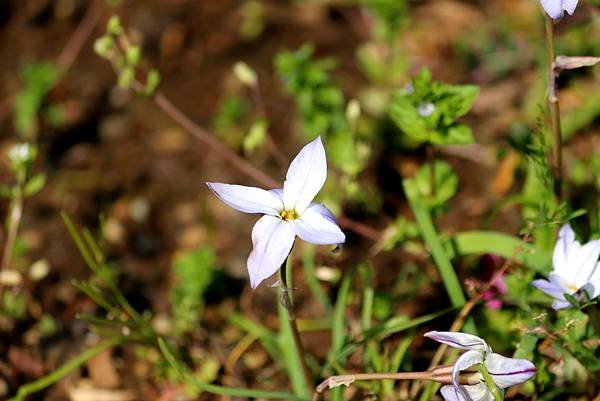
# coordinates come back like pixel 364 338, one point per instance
pixel 217 389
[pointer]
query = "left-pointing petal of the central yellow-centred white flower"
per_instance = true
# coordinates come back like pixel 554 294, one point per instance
pixel 247 199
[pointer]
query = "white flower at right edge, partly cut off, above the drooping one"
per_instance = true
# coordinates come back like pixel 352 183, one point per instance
pixel 576 270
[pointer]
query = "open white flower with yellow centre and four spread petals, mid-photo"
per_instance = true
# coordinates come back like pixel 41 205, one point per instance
pixel 288 212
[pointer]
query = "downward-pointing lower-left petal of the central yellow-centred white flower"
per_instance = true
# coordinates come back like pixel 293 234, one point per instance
pixel 272 239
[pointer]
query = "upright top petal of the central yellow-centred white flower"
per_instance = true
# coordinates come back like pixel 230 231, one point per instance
pixel 305 177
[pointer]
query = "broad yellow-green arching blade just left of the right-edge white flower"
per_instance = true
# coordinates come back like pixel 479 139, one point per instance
pixel 479 242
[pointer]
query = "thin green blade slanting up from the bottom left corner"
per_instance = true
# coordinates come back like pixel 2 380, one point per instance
pixel 48 380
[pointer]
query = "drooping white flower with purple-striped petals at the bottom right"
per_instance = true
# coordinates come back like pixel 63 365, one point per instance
pixel 504 371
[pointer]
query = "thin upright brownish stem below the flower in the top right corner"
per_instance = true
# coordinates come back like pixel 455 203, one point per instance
pixel 554 107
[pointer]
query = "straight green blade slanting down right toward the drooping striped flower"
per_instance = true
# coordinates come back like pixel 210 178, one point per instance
pixel 440 257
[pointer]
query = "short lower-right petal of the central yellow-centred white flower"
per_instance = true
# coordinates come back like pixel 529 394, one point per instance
pixel 317 226
